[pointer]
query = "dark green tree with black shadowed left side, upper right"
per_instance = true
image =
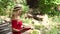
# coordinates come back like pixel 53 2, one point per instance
pixel 44 6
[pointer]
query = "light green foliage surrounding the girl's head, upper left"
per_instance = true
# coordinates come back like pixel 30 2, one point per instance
pixel 7 6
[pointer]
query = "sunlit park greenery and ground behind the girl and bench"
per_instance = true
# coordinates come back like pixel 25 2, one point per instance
pixel 42 15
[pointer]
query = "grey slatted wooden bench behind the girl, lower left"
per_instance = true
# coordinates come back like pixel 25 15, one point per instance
pixel 5 28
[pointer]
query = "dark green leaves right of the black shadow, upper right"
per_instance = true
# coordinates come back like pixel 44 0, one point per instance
pixel 48 7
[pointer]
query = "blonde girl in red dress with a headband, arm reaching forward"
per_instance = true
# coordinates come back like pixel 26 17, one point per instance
pixel 16 22
